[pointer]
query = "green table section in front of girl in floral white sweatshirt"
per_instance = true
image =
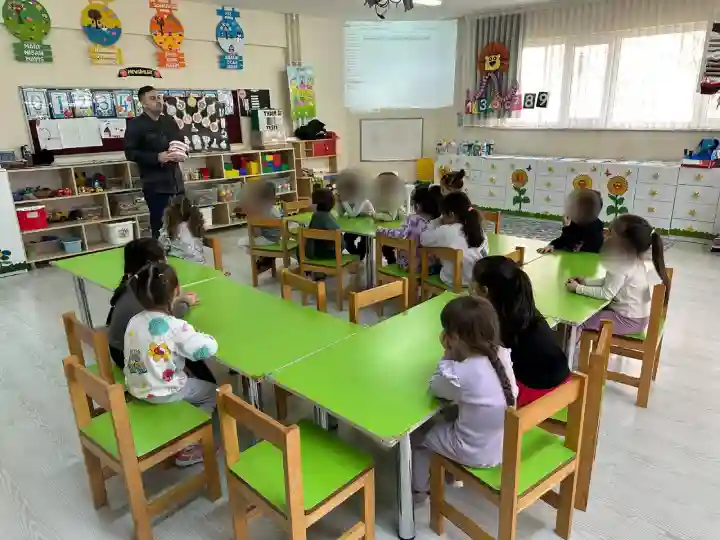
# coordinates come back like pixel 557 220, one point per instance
pixel 259 333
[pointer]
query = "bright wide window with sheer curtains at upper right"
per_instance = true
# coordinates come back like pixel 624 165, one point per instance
pixel 619 80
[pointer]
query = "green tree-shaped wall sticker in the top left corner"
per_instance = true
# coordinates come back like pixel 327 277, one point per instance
pixel 29 21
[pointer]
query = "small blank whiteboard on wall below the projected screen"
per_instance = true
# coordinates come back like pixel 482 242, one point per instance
pixel 397 139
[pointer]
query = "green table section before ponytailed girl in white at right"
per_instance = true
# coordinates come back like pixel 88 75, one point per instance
pixel 549 275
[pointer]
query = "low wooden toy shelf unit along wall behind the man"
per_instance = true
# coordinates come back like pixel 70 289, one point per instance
pixel 124 177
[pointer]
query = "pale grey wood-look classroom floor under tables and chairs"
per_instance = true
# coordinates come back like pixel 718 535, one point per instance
pixel 656 476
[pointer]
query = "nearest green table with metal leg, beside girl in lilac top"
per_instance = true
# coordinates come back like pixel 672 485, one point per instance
pixel 377 381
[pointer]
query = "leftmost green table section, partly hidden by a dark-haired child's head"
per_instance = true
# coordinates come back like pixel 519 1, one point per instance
pixel 105 269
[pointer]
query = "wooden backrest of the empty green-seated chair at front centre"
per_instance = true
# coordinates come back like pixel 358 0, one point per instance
pixel 232 410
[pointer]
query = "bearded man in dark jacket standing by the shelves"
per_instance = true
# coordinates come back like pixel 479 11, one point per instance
pixel 147 140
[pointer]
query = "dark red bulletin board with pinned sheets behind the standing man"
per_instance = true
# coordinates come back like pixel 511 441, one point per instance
pixel 70 121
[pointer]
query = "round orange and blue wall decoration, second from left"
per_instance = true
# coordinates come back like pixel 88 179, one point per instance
pixel 102 27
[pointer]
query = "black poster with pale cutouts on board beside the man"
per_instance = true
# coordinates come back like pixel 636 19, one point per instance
pixel 201 121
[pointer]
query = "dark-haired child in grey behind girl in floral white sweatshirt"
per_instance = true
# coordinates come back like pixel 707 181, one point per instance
pixel 124 305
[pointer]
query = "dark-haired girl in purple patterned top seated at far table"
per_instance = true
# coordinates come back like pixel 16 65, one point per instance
pixel 426 206
